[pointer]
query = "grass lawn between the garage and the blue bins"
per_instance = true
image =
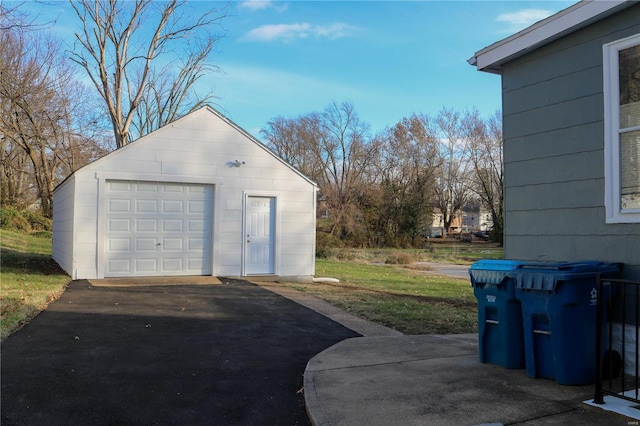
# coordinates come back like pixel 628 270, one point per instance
pixel 408 300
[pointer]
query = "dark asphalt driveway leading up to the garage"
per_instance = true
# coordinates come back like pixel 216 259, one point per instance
pixel 202 354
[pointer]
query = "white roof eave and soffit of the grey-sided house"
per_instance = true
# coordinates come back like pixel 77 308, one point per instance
pixel 491 58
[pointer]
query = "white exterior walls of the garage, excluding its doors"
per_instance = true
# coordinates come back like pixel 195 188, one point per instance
pixel 199 148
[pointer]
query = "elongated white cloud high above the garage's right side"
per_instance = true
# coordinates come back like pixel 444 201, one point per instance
pixel 290 32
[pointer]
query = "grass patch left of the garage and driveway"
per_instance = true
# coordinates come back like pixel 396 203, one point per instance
pixel 29 278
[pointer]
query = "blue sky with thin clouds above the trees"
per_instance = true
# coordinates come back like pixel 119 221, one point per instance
pixel 388 58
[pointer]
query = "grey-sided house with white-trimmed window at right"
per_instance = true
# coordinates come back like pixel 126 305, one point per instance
pixel 571 126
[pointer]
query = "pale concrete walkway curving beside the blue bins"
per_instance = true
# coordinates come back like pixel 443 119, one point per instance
pixel 387 378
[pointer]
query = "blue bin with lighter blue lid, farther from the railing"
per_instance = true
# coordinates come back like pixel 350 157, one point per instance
pixel 500 332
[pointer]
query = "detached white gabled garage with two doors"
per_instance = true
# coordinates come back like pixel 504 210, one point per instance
pixel 199 196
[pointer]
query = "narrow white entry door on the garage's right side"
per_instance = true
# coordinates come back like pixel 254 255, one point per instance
pixel 260 241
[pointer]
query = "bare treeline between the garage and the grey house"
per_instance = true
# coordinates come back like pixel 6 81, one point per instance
pixel 382 190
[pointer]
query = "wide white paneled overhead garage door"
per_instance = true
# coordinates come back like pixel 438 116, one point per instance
pixel 158 228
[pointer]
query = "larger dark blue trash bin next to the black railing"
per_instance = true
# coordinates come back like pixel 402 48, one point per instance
pixel 559 309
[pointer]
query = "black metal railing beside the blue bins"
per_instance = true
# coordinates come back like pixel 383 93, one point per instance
pixel 618 340
